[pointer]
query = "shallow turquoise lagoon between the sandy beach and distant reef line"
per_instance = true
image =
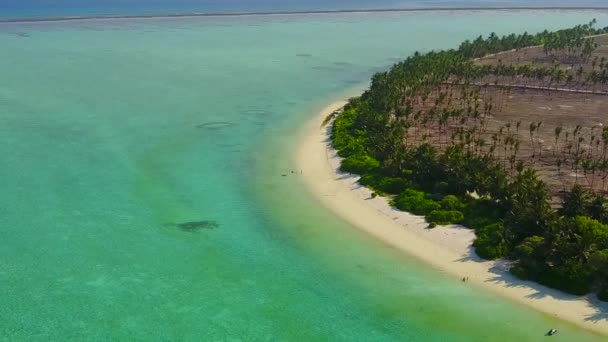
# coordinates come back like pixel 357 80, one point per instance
pixel 113 131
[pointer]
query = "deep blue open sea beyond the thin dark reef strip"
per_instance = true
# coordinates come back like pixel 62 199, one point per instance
pixel 62 8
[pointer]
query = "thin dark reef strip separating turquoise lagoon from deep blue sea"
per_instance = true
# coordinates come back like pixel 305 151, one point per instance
pixel 283 13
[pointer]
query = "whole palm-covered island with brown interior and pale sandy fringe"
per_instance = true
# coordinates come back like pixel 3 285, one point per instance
pixel 504 136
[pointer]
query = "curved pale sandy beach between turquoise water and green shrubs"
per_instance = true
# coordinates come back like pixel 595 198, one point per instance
pixel 445 248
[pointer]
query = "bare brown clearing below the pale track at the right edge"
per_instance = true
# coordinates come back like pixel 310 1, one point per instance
pixel 554 109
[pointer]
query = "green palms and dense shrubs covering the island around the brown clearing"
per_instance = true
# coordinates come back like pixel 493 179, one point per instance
pixel 420 134
